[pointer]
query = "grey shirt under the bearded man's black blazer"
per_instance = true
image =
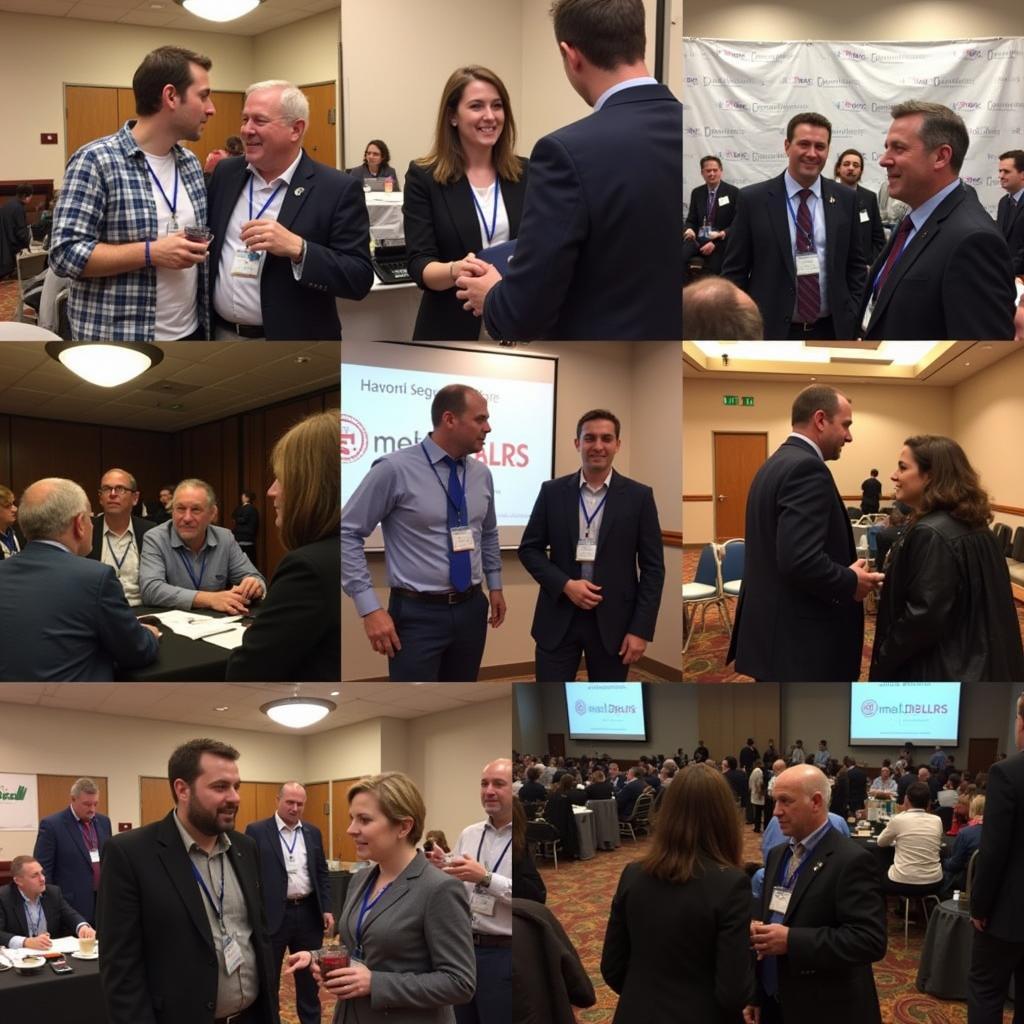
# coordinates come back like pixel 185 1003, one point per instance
pixel 238 991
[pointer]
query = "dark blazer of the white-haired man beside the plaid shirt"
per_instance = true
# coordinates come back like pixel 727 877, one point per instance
pixel 327 208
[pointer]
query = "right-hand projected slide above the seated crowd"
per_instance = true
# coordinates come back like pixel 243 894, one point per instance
pixel 891 714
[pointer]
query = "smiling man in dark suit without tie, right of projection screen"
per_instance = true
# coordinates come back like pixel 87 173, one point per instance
pixel 602 529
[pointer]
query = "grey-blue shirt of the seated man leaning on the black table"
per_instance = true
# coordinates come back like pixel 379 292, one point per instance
pixel 164 580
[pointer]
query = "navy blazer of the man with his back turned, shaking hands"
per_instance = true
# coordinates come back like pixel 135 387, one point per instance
pixel 600 253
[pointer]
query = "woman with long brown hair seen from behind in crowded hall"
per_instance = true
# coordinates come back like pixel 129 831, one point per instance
pixel 691 874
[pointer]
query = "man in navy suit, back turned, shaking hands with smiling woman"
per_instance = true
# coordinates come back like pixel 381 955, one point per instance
pixel 599 253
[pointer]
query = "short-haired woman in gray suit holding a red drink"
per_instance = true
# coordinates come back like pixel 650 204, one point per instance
pixel 407 925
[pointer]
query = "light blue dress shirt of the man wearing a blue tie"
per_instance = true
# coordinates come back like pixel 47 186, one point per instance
pixel 403 494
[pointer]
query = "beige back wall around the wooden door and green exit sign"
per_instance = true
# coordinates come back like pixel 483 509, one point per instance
pixel 883 416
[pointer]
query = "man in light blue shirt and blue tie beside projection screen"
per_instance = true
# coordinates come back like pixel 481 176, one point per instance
pixel 436 507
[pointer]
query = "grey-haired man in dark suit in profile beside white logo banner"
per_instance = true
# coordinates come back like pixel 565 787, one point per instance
pixel 946 272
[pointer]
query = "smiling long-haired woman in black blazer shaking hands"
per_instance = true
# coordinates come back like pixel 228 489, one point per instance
pixel 464 196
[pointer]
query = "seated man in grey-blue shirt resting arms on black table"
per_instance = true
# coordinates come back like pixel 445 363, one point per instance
pixel 189 564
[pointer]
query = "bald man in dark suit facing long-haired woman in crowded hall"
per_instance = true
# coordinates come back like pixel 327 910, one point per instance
pixel 823 919
